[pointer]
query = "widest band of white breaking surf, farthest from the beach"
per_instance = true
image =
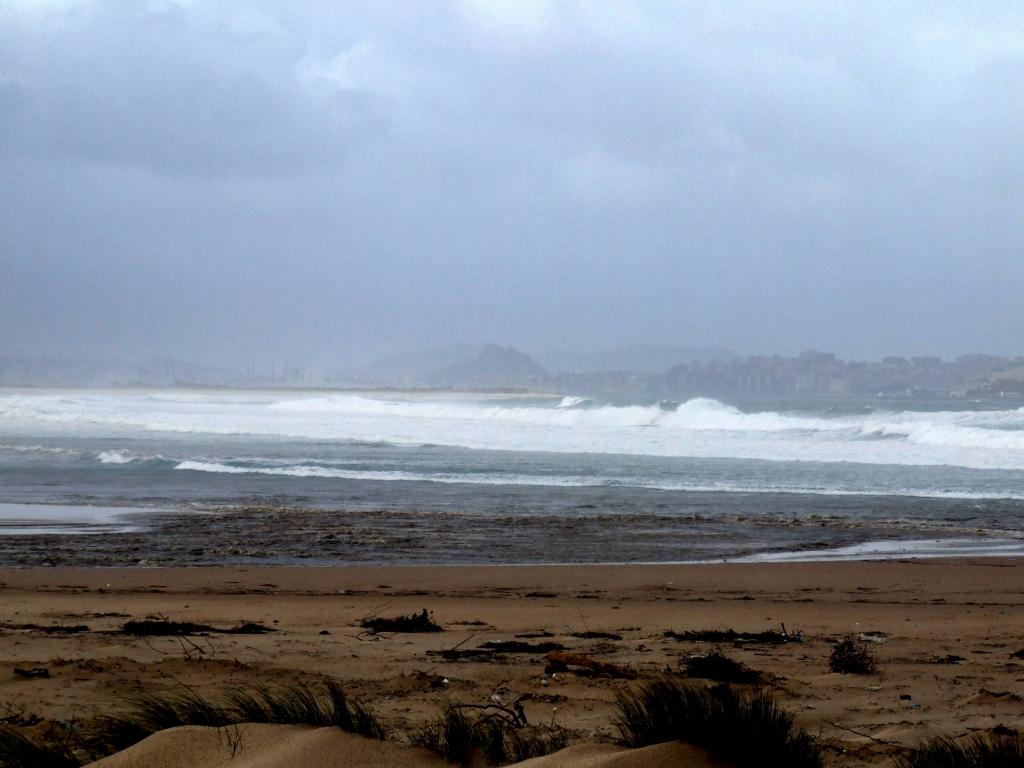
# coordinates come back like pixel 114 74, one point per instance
pixel 701 429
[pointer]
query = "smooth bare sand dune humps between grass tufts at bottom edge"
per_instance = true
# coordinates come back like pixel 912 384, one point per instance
pixel 288 747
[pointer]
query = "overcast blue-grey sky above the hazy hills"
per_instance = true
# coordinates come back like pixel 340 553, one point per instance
pixel 321 184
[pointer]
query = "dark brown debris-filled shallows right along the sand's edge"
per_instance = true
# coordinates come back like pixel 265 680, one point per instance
pixel 65 536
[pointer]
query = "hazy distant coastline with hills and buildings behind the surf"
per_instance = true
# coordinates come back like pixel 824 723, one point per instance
pixel 643 375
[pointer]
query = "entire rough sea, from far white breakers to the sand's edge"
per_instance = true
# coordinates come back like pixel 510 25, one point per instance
pixel 317 478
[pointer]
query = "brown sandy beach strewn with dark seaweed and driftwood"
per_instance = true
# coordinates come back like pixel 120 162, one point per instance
pixel 944 633
